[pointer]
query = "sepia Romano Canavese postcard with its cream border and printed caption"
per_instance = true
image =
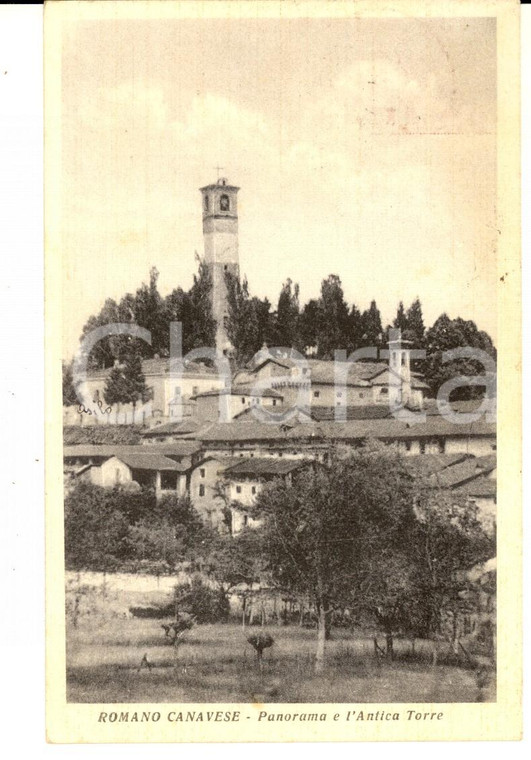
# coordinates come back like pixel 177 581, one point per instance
pixel 275 238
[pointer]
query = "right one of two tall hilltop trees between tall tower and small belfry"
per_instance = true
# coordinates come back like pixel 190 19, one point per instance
pixel 333 328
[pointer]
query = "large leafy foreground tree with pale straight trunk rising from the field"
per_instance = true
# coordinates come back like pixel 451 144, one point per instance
pixel 319 530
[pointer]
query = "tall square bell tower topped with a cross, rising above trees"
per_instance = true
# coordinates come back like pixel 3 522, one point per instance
pixel 220 235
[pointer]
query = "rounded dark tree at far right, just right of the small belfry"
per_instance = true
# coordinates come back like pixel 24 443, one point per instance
pixel 446 334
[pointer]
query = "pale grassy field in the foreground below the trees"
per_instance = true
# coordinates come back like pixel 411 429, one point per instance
pixel 216 664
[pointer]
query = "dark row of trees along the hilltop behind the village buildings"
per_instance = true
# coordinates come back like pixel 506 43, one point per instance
pixel 315 329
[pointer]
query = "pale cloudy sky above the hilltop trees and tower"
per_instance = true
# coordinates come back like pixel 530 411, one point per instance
pixel 363 147
